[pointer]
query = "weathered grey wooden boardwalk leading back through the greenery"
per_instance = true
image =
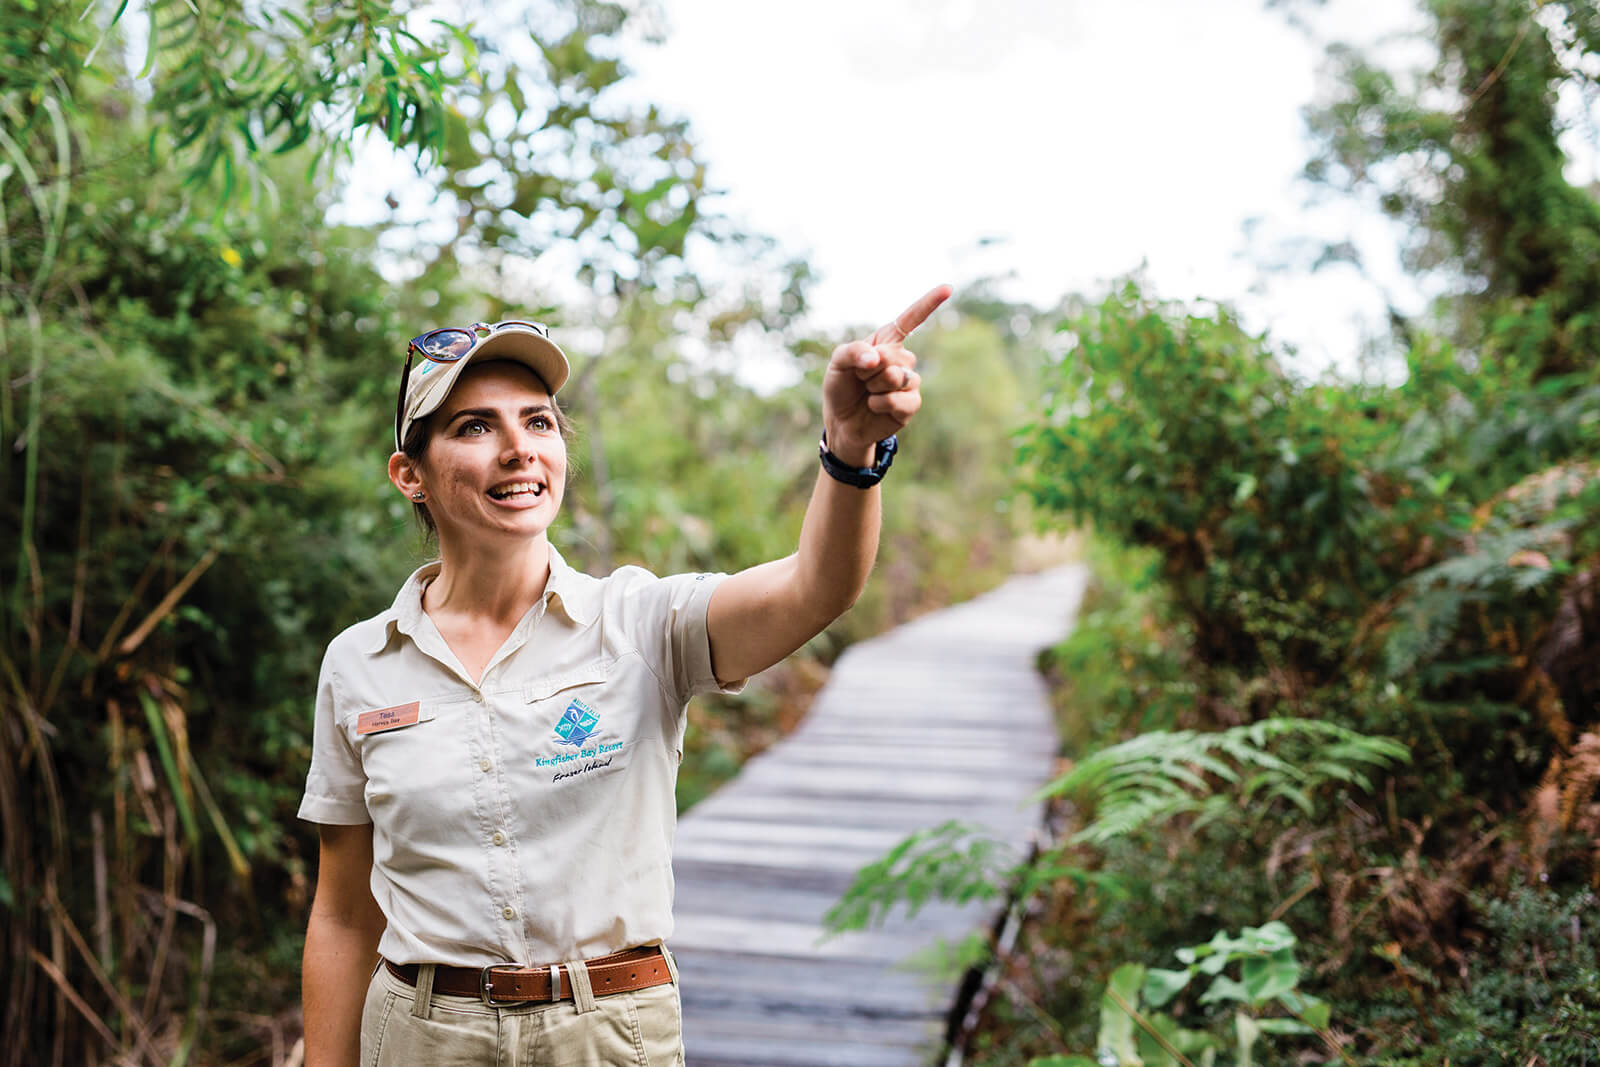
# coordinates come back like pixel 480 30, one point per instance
pixel 940 719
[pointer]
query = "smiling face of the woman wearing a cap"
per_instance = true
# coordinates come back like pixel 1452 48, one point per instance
pixel 495 463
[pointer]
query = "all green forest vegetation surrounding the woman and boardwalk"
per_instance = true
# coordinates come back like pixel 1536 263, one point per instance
pixel 1351 629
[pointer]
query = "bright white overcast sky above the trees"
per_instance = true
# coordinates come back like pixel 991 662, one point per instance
pixel 1065 143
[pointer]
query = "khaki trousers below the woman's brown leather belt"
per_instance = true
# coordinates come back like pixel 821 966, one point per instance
pixel 406 1026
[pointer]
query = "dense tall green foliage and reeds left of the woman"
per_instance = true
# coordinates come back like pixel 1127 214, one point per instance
pixel 161 378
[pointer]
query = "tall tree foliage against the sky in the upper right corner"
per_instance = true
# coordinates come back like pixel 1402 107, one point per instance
pixel 1466 156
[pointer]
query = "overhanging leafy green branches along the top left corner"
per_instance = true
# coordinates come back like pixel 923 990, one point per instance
pixel 233 82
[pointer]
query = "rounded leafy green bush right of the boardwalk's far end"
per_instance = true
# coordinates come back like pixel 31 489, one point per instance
pixel 1182 433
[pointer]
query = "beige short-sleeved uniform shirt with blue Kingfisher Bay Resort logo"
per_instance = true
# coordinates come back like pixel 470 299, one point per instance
pixel 527 818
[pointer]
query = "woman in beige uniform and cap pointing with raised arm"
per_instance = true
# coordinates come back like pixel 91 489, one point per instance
pixel 495 754
